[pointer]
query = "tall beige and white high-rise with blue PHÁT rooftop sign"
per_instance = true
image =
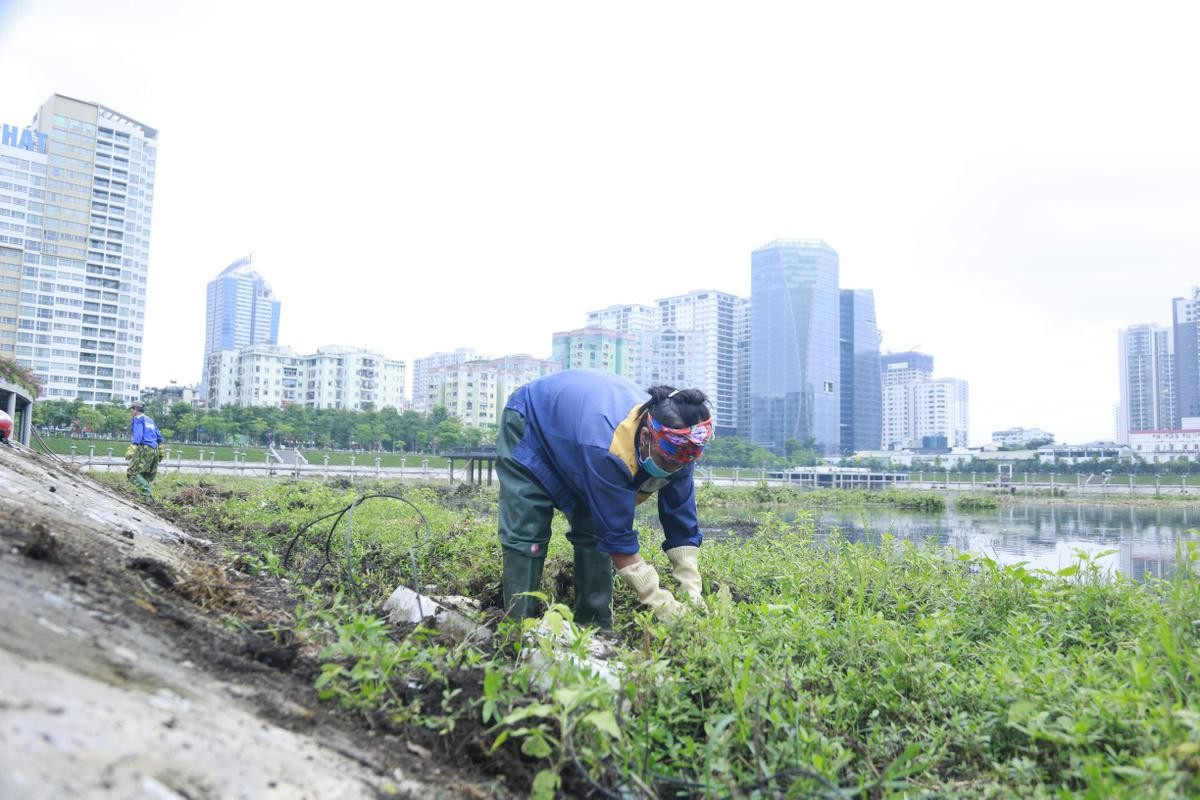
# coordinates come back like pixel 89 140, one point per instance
pixel 85 248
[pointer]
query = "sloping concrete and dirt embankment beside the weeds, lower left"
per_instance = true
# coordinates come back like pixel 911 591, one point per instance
pixel 137 663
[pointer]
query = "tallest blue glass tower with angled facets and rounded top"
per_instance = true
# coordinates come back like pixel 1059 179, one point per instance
pixel 795 359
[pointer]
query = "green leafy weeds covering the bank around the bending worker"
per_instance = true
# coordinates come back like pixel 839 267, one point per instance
pixel 819 669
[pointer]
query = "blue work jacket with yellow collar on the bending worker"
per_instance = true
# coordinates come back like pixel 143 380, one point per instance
pixel 580 443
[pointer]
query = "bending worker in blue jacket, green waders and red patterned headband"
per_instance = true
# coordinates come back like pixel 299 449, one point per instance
pixel 595 446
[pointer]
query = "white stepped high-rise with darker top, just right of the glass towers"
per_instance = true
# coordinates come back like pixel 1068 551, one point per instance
pixel 919 407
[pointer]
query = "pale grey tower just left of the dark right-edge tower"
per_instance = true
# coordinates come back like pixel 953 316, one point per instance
pixel 1147 360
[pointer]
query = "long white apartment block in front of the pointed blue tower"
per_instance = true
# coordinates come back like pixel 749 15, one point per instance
pixel 334 377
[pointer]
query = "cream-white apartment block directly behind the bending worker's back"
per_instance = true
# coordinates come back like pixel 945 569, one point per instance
pixel 476 392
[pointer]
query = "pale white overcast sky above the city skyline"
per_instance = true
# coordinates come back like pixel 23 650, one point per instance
pixel 1016 182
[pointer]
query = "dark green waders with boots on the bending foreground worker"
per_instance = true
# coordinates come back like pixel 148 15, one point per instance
pixel 525 528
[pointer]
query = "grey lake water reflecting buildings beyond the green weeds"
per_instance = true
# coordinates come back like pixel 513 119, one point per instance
pixel 1046 537
